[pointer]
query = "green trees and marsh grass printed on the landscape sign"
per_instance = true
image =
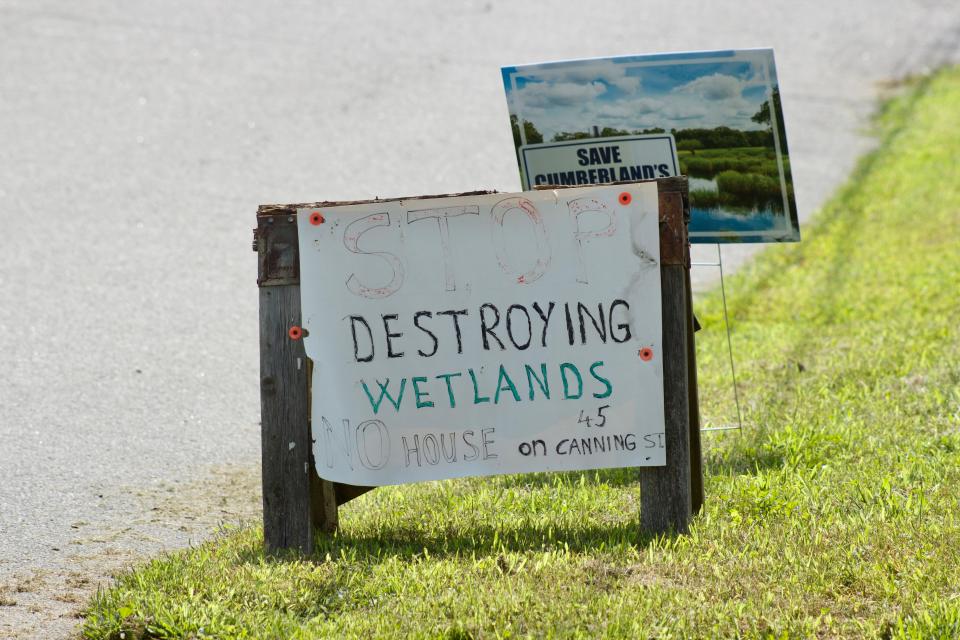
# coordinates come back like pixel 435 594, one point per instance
pixel 741 166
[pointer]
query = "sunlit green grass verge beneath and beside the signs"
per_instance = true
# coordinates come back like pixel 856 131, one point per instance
pixel 835 514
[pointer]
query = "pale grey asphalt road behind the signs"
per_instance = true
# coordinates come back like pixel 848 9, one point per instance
pixel 136 141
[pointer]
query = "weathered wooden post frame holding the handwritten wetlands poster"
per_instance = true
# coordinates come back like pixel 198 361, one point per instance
pixel 297 502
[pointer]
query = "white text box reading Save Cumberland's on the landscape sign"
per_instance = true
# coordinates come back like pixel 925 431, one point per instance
pixel 599 160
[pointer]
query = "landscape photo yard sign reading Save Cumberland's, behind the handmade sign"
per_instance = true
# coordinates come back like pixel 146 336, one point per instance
pixel 720 110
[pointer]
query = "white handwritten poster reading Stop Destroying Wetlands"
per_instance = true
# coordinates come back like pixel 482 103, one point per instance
pixel 484 334
